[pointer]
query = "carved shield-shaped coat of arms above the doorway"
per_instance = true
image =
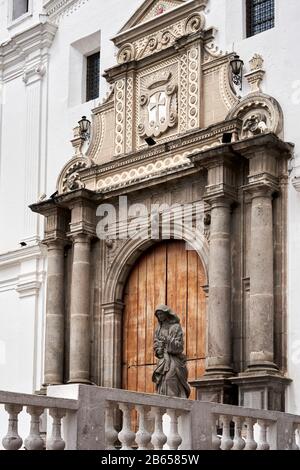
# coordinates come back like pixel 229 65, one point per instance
pixel 158 106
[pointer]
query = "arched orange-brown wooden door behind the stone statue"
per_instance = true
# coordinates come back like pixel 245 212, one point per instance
pixel 165 274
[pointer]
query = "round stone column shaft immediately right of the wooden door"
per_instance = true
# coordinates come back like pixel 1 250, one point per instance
pixel 219 304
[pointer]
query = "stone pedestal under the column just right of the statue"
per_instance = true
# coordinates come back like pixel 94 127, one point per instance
pixel 216 390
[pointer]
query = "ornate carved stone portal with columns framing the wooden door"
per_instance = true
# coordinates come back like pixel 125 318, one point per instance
pixel 173 130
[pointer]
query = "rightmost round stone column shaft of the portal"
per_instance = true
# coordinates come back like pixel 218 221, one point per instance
pixel 261 315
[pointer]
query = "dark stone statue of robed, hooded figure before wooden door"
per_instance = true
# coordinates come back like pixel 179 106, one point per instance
pixel 170 374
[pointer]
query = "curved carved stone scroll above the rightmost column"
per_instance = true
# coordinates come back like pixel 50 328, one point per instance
pixel 260 114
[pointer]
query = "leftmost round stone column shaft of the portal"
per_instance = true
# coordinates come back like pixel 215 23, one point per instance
pixel 55 307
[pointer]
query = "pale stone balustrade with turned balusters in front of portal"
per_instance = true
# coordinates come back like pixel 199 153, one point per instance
pixel 100 418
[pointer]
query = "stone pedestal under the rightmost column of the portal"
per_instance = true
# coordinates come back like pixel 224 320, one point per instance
pixel 261 390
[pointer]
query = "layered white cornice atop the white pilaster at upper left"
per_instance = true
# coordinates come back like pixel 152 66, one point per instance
pixel 26 50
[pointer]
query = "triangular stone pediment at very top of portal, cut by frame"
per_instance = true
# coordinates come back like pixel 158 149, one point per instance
pixel 150 9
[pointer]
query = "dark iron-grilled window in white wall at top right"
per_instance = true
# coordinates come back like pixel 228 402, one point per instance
pixel 260 16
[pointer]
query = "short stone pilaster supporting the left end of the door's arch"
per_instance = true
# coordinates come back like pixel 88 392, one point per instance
pixel 112 374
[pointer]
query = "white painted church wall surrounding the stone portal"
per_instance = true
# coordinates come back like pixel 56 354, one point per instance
pixel 88 27
